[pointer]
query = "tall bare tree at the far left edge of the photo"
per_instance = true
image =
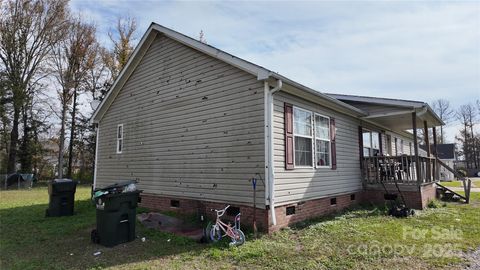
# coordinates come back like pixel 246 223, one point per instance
pixel 28 29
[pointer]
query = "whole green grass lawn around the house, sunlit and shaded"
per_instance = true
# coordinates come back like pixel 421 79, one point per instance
pixel 359 238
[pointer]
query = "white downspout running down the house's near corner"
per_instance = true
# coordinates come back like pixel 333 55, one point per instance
pixel 270 153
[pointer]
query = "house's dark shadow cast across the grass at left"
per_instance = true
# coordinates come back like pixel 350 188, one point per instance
pixel 29 240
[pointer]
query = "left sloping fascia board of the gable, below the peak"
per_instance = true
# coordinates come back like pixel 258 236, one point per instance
pixel 124 75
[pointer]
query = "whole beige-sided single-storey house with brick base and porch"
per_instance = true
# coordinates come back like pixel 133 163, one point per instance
pixel 194 125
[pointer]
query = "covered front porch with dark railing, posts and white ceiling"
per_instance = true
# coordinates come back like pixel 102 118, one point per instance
pixel 413 169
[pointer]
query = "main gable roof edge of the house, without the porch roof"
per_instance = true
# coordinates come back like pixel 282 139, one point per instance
pixel 260 72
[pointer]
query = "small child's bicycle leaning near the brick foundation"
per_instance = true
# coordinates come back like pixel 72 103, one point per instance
pixel 237 236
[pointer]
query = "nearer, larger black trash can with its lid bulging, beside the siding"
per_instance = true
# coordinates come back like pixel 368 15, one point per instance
pixel 116 217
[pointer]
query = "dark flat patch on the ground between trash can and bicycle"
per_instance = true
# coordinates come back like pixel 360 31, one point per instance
pixel 170 224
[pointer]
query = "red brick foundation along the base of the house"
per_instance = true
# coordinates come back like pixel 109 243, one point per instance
pixel 415 197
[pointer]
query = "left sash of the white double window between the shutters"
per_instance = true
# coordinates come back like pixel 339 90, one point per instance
pixel 302 132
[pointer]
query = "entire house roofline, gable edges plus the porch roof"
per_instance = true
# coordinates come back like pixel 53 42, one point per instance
pixel 336 102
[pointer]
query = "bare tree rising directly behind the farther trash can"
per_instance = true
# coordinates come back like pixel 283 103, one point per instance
pixel 74 57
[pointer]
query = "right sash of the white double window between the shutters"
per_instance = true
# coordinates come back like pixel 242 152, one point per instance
pixel 322 141
